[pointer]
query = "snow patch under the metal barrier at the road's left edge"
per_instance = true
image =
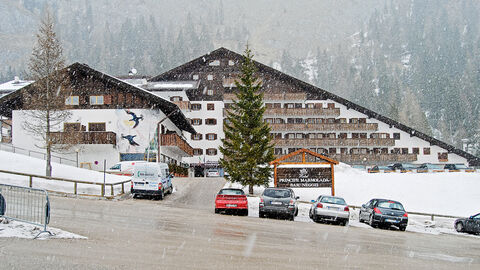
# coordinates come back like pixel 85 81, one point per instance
pixel 17 229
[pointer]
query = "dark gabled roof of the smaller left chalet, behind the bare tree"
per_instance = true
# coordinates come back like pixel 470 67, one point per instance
pixel 14 100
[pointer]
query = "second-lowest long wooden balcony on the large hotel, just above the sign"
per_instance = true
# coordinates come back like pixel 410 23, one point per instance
pixel 326 142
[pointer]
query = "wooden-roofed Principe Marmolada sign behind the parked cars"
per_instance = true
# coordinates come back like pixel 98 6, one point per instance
pixel 304 169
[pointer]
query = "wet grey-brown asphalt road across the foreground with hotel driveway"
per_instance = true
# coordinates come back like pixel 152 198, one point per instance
pixel 182 232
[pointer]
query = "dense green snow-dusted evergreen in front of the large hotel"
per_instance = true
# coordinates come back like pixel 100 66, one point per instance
pixel 247 149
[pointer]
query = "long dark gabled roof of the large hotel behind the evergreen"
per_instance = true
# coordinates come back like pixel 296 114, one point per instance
pixel 313 92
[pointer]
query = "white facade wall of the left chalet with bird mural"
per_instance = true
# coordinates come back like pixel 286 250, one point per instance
pixel 116 120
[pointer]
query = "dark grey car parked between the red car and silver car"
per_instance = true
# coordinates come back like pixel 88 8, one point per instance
pixel 278 201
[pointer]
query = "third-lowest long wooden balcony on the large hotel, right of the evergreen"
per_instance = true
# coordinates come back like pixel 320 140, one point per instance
pixel 325 127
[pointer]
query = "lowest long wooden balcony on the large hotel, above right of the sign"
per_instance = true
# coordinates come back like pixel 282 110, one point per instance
pixel 371 159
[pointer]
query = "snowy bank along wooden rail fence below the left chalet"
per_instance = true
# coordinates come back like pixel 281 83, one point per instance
pixel 25 164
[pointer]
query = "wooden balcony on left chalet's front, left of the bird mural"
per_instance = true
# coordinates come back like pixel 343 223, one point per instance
pixel 84 137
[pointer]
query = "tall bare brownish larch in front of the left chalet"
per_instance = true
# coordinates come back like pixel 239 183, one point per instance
pixel 45 101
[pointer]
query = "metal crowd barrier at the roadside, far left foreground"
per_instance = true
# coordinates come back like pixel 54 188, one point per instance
pixel 24 204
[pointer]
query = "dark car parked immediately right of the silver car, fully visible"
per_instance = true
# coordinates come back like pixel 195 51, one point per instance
pixel 382 212
